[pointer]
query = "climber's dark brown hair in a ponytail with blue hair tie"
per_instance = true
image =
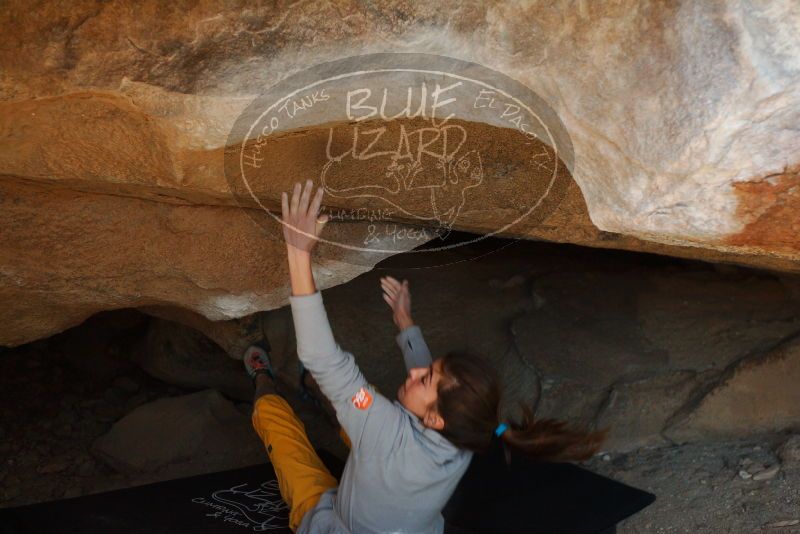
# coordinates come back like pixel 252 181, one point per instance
pixel 469 402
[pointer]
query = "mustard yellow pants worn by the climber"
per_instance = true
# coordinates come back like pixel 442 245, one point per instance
pixel 302 477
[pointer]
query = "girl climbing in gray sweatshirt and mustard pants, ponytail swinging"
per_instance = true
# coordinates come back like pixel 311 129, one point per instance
pixel 407 455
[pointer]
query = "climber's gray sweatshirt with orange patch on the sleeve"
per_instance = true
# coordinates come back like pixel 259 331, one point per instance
pixel 399 474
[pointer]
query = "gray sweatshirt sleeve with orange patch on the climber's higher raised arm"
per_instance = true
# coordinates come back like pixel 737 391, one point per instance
pixel 372 422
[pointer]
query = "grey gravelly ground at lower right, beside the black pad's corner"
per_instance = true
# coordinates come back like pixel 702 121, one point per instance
pixel 699 488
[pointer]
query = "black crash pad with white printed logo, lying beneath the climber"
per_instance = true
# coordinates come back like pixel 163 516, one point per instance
pixel 528 497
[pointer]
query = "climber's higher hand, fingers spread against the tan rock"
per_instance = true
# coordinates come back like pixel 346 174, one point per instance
pixel 299 217
